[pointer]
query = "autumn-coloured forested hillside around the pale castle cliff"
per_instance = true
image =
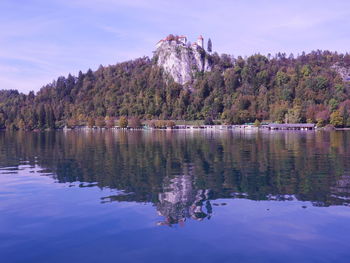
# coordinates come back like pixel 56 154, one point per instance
pixel 308 88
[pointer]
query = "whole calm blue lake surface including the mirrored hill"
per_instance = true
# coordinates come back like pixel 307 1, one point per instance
pixel 117 196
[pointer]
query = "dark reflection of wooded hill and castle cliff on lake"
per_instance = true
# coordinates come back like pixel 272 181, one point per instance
pixel 182 172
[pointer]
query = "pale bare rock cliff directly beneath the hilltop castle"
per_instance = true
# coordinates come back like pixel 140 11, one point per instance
pixel 180 61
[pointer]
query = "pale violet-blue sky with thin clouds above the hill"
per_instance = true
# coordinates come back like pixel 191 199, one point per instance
pixel 41 40
